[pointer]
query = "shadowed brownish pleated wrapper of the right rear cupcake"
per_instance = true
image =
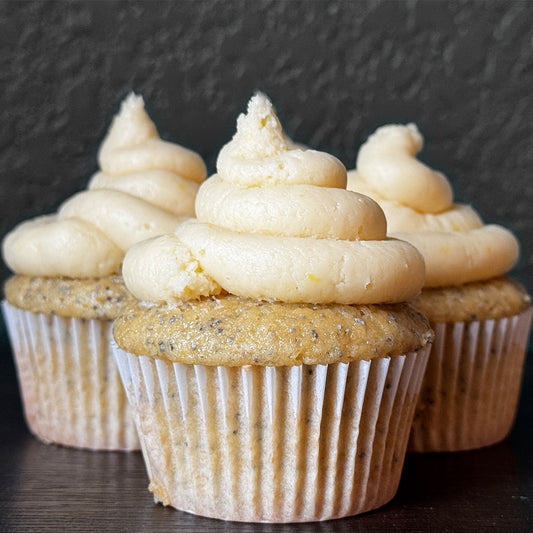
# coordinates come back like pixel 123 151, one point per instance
pixel 470 392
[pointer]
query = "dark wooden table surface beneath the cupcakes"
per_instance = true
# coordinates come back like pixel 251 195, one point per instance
pixel 51 488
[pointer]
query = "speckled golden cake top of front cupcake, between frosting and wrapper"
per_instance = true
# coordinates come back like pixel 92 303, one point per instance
pixel 235 331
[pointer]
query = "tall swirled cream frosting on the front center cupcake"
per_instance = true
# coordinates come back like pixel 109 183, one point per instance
pixel 277 223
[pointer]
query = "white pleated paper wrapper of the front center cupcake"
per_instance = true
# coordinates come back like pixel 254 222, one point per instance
pixel 274 444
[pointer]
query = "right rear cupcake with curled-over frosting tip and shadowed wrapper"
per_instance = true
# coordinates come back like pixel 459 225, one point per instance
pixel 481 317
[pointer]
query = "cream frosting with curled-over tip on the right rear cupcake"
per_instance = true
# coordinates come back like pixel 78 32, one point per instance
pixel 417 201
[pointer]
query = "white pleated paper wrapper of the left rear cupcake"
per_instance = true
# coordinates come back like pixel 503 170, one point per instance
pixel 71 389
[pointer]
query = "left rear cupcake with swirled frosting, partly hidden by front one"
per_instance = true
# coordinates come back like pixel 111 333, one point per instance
pixel 68 288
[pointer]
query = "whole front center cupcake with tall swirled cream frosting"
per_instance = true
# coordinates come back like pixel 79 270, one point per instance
pixel 271 361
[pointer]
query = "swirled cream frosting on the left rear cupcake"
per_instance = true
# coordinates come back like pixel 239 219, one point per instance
pixel 146 187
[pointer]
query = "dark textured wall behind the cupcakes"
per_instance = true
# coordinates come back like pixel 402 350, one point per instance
pixel 463 71
